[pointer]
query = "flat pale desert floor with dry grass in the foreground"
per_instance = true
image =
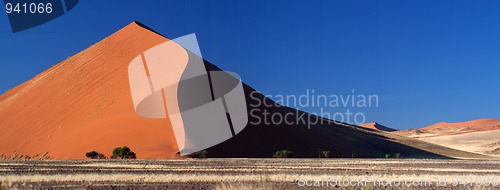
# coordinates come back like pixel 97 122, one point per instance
pixel 236 173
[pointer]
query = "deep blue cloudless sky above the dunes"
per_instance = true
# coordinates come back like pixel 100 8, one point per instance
pixel 428 61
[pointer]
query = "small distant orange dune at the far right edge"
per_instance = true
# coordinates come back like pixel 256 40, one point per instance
pixel 464 127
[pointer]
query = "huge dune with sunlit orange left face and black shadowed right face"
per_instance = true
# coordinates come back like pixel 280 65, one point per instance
pixel 83 103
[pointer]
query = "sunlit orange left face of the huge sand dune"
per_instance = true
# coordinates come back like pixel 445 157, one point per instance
pixel 84 104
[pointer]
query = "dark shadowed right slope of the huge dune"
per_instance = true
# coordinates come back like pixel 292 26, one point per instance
pixel 342 140
